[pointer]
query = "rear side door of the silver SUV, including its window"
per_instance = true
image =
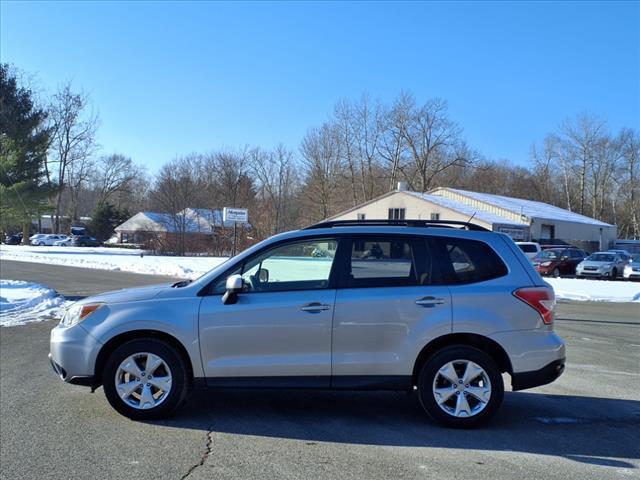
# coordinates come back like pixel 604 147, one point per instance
pixel 386 310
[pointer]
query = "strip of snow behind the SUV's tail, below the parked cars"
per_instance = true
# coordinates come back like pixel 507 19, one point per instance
pixel 595 290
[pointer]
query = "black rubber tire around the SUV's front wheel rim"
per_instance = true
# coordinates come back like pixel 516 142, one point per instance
pixel 180 378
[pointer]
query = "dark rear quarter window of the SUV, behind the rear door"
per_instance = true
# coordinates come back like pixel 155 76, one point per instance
pixel 468 261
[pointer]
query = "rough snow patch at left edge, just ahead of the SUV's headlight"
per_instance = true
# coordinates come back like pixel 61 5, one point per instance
pixel 22 302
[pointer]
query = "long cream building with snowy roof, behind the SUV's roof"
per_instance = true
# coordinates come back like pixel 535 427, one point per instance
pixel 519 218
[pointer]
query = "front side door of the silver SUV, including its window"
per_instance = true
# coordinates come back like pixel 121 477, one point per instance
pixel 279 331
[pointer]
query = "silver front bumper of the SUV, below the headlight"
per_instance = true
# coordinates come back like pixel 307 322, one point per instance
pixel 72 354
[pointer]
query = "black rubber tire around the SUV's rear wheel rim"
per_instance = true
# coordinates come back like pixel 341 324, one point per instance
pixel 451 354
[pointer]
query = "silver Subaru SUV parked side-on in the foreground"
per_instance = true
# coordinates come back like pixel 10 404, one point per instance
pixel 442 308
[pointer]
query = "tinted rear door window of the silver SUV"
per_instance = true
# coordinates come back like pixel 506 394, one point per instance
pixel 384 261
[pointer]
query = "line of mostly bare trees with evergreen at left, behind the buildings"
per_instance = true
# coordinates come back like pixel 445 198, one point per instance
pixel 50 163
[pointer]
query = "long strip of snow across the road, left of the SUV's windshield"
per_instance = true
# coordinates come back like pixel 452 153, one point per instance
pixel 122 259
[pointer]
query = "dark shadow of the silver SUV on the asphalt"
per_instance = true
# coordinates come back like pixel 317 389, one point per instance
pixel 592 430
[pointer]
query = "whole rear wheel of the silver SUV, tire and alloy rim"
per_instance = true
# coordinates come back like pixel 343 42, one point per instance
pixel 460 387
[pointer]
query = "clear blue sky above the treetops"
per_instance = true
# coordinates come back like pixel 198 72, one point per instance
pixel 171 78
